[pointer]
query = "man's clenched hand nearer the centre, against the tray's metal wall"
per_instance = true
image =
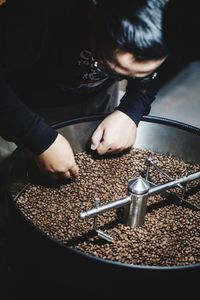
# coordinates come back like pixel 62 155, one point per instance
pixel 116 133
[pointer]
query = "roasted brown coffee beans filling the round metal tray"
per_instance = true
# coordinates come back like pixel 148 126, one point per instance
pixel 170 235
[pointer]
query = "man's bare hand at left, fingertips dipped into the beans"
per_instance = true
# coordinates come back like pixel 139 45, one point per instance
pixel 58 160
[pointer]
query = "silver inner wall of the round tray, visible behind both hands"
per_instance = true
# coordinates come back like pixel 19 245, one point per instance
pixel 153 134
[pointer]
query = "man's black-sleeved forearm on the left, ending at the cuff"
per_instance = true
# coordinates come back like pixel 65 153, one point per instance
pixel 21 125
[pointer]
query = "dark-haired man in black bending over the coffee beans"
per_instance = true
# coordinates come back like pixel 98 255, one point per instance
pixel 72 53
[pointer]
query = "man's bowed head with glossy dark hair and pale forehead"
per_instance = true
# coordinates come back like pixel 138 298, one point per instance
pixel 127 37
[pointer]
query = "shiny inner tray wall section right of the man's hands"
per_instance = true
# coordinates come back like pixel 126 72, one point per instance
pixel 169 139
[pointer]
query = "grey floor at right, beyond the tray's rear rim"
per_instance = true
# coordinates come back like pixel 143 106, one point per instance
pixel 179 98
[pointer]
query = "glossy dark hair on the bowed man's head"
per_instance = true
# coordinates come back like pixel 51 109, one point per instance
pixel 134 26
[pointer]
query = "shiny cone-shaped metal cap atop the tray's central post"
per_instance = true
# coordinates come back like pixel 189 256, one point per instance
pixel 138 186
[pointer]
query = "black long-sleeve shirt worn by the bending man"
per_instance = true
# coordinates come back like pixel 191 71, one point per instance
pixel 52 38
